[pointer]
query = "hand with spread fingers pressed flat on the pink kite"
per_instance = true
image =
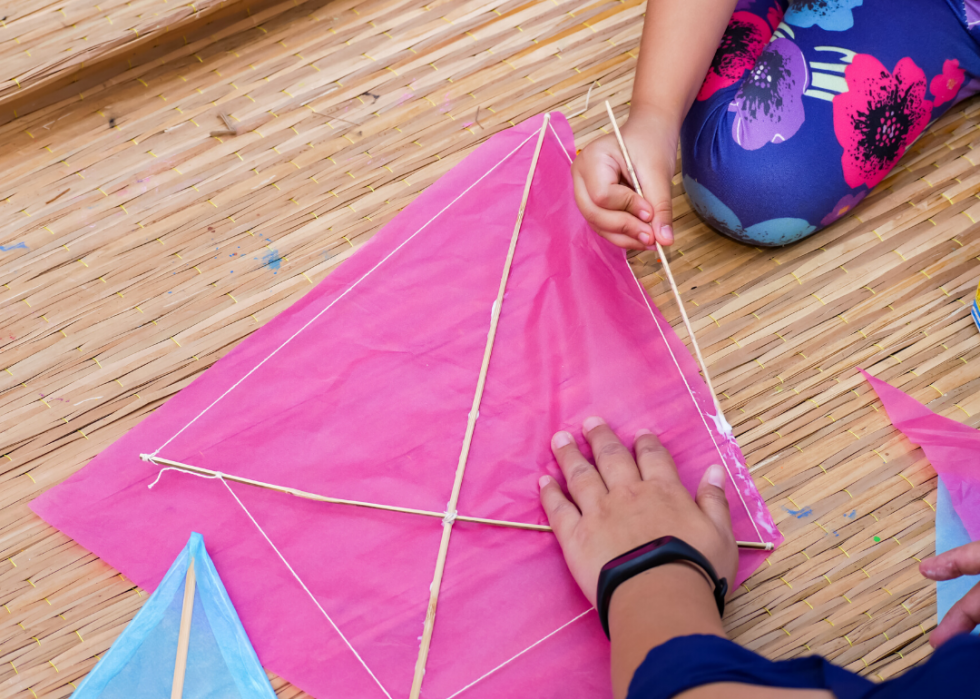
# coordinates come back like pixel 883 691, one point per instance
pixel 622 503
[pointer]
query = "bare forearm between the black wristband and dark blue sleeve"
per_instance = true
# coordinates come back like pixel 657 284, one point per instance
pixel 654 607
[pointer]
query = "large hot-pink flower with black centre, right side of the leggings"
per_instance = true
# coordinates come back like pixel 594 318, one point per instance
pixel 878 117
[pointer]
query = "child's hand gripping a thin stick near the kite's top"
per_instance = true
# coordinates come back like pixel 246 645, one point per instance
pixel 604 190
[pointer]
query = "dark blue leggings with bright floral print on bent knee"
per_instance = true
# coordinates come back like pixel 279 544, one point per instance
pixel 810 103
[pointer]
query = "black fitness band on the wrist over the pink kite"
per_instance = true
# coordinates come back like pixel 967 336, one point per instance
pixel 666 549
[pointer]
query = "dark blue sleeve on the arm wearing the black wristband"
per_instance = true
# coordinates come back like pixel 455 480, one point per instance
pixel 691 661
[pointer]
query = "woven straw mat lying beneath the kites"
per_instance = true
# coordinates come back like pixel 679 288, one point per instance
pixel 138 249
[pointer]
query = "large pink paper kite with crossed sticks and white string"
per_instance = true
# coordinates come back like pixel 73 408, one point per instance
pixel 364 390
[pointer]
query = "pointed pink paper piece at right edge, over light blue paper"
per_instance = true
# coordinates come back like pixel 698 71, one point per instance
pixel 953 449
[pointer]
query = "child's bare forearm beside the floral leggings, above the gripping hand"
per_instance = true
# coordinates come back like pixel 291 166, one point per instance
pixel 679 41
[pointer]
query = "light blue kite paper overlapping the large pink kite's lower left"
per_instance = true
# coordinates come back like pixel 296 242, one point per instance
pixel 221 663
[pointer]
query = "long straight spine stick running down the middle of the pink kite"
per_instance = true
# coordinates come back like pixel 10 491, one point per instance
pixel 430 614
